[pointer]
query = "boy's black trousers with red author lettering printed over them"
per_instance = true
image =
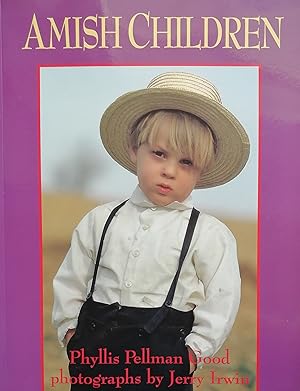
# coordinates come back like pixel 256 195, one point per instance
pixel 112 350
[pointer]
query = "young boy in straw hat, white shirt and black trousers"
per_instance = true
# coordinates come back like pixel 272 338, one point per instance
pixel 163 289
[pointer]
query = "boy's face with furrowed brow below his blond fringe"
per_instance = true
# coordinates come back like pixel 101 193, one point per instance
pixel 164 175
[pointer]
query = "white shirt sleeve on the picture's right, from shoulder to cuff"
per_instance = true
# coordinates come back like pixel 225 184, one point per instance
pixel 217 268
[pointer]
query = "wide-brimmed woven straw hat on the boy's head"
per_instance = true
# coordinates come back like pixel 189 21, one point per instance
pixel 185 92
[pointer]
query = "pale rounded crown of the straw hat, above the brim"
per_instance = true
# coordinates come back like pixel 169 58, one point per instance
pixel 184 81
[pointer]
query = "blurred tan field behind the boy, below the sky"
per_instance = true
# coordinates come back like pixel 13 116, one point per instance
pixel 62 212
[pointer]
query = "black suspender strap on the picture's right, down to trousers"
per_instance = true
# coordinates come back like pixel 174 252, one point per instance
pixel 160 315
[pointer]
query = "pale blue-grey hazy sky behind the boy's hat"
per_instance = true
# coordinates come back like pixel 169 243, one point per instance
pixel 73 100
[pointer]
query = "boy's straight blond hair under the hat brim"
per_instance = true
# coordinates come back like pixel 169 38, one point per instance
pixel 187 134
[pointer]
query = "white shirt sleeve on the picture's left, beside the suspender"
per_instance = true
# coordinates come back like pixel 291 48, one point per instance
pixel 70 284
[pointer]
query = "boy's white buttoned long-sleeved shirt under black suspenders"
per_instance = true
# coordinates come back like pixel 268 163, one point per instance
pixel 139 260
